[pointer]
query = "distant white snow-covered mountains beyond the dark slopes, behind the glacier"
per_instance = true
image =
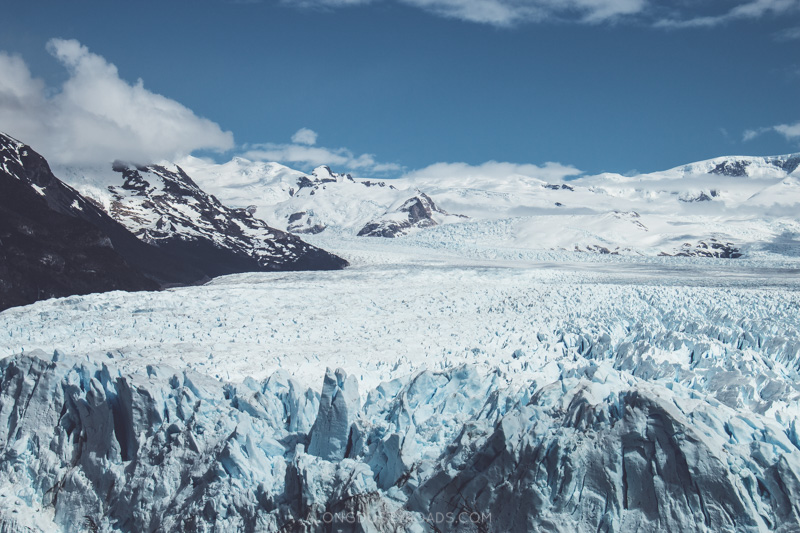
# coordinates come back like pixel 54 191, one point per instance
pixel 748 204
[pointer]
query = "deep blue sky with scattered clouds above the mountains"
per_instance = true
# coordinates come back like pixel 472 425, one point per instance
pixel 391 86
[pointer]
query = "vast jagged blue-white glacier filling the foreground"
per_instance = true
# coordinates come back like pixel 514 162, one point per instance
pixel 435 385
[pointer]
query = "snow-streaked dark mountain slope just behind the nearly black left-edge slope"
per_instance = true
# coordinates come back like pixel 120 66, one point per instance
pixel 163 206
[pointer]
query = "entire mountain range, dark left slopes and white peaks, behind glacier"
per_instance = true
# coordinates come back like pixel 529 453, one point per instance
pixel 192 220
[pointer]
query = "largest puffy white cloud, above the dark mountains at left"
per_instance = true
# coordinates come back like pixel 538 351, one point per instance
pixel 97 117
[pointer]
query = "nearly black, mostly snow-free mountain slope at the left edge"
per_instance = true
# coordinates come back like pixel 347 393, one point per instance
pixel 52 241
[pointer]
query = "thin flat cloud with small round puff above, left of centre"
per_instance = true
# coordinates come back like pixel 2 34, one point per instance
pixel 303 153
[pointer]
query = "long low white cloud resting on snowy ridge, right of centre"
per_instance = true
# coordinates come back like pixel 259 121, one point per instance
pixel 492 172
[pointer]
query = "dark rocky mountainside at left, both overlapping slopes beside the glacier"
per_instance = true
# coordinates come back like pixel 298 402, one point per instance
pixel 55 242
